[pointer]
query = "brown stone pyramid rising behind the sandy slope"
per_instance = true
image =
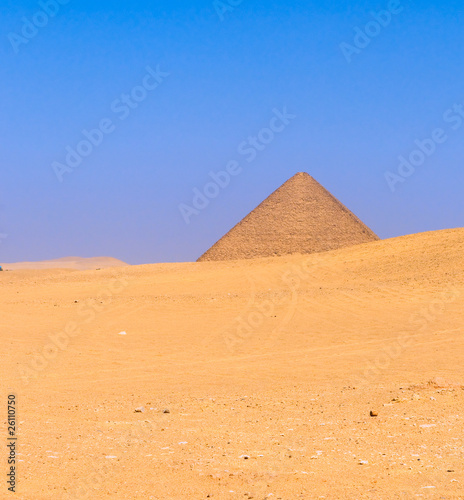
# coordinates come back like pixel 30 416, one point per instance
pixel 299 217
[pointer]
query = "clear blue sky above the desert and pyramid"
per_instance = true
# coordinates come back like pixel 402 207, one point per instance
pixel 264 88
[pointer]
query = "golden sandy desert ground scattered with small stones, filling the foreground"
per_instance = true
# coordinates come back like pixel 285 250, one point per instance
pixel 256 377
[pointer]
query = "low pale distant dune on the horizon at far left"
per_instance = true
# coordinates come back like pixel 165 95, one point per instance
pixel 78 263
